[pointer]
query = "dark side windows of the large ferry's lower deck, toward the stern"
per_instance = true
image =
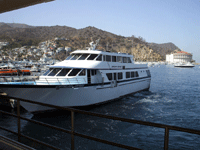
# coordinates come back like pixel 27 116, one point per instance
pixel 119 75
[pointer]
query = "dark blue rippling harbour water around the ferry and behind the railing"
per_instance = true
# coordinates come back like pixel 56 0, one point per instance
pixel 173 99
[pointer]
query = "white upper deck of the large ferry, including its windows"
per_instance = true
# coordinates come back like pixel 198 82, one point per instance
pixel 96 59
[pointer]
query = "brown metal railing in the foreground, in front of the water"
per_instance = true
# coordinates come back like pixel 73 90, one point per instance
pixel 73 133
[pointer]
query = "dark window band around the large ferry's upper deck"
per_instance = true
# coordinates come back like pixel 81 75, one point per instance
pixel 99 57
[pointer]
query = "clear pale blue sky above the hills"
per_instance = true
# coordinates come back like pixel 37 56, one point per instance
pixel 157 21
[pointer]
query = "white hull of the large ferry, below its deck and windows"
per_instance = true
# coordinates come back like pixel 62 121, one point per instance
pixel 68 96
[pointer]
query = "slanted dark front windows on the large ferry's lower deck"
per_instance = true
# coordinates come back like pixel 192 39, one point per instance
pixel 65 72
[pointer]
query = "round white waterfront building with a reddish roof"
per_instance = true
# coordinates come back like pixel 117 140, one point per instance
pixel 179 57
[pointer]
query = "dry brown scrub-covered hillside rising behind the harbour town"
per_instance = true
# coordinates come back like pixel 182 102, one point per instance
pixel 21 34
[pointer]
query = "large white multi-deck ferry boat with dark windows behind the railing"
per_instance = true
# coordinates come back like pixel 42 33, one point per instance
pixel 85 78
